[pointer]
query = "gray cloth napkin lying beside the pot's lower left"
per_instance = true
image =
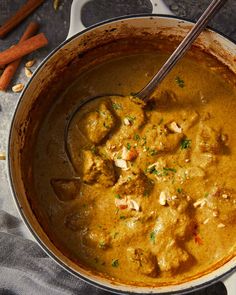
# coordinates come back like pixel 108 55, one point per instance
pixel 26 269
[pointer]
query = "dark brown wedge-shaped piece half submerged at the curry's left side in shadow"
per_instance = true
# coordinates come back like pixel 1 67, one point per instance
pixel 66 189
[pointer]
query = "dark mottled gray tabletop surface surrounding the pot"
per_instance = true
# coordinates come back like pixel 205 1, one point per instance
pixel 55 25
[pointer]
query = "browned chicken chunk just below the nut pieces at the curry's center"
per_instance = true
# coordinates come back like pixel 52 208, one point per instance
pixel 133 183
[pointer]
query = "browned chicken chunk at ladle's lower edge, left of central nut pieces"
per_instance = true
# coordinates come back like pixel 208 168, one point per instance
pixel 97 169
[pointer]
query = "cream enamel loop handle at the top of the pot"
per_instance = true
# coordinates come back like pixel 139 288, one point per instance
pixel 76 24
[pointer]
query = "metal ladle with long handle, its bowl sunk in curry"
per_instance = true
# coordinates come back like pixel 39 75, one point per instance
pixel 145 93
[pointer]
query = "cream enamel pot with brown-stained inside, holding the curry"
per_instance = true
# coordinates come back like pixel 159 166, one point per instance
pixel 30 112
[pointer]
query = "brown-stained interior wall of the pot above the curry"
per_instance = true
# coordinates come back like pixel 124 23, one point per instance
pixel 69 61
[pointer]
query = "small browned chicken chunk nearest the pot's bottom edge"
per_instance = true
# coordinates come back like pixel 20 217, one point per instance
pixel 142 261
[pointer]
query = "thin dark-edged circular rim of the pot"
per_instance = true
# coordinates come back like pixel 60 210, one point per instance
pixel 183 290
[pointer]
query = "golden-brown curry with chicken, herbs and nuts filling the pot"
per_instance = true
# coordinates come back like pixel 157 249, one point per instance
pixel 148 194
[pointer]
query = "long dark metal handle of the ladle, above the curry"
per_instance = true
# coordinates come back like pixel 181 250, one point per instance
pixel 202 22
